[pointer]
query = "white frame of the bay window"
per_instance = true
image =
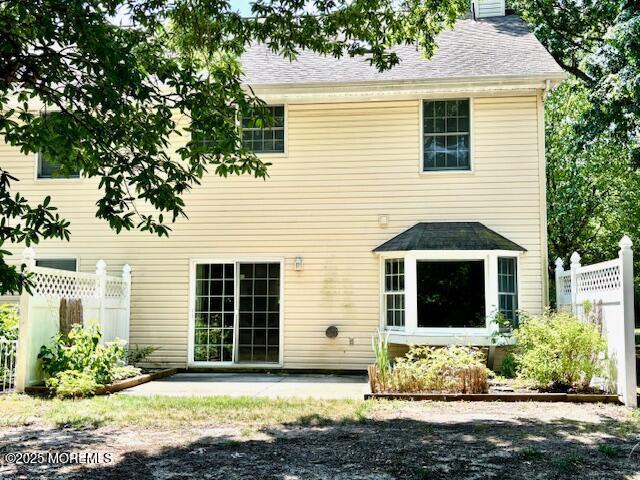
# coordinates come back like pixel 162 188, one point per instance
pixel 411 333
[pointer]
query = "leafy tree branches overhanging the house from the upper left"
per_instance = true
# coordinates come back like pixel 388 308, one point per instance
pixel 118 90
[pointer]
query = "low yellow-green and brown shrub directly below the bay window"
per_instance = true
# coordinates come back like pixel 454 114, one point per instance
pixel 452 369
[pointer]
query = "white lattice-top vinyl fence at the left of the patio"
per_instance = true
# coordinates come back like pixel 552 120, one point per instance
pixel 105 301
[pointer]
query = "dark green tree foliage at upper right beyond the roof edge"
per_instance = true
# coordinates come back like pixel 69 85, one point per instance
pixel 598 42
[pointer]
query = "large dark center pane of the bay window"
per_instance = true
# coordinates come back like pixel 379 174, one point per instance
pixel 451 294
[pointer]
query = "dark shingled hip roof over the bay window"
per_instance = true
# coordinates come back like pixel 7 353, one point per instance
pixel 448 236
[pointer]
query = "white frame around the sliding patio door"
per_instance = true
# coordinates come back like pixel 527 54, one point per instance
pixel 193 262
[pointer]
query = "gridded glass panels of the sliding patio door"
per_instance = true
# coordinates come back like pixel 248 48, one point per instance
pixel 237 312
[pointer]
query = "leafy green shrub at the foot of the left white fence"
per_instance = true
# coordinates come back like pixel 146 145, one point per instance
pixel 69 360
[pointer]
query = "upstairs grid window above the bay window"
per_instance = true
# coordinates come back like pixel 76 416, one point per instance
pixel 446 137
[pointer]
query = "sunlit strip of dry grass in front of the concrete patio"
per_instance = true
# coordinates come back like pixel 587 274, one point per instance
pixel 174 412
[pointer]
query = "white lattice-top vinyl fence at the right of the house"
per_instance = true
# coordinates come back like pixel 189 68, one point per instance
pixel 608 288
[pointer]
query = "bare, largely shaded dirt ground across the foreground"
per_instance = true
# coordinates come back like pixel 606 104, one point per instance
pixel 394 441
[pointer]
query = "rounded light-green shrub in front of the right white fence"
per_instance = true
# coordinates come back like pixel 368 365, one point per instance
pixel 556 351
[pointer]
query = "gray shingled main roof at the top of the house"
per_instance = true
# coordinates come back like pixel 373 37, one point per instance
pixel 498 46
